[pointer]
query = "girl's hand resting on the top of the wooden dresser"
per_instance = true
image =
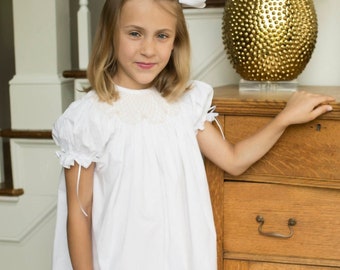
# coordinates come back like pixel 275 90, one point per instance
pixel 304 107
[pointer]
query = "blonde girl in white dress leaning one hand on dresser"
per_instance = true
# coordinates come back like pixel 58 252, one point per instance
pixel 134 194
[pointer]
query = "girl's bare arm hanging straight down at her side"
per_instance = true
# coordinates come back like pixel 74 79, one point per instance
pixel 79 226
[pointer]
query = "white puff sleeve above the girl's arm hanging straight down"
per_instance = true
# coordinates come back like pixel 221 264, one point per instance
pixel 81 132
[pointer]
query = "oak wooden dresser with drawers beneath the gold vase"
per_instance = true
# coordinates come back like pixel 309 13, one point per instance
pixel 284 211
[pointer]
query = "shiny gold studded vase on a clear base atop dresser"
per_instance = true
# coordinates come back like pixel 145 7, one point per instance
pixel 269 40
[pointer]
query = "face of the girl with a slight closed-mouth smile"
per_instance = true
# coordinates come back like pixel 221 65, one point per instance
pixel 145 42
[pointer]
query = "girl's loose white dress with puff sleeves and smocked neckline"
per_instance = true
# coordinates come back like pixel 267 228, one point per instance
pixel 151 205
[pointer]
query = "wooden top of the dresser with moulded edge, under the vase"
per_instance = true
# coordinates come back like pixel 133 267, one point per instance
pixel 230 101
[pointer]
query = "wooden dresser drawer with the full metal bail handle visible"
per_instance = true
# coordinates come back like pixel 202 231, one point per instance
pixel 316 211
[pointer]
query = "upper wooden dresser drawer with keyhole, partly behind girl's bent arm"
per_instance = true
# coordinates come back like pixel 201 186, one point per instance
pixel 310 151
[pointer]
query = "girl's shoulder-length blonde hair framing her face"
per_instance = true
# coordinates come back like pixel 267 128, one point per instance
pixel 171 82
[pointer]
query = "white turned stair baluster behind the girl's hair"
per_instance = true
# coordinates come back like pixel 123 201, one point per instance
pixel 84 34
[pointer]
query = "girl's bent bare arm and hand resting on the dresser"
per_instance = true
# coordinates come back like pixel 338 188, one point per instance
pixel 235 159
